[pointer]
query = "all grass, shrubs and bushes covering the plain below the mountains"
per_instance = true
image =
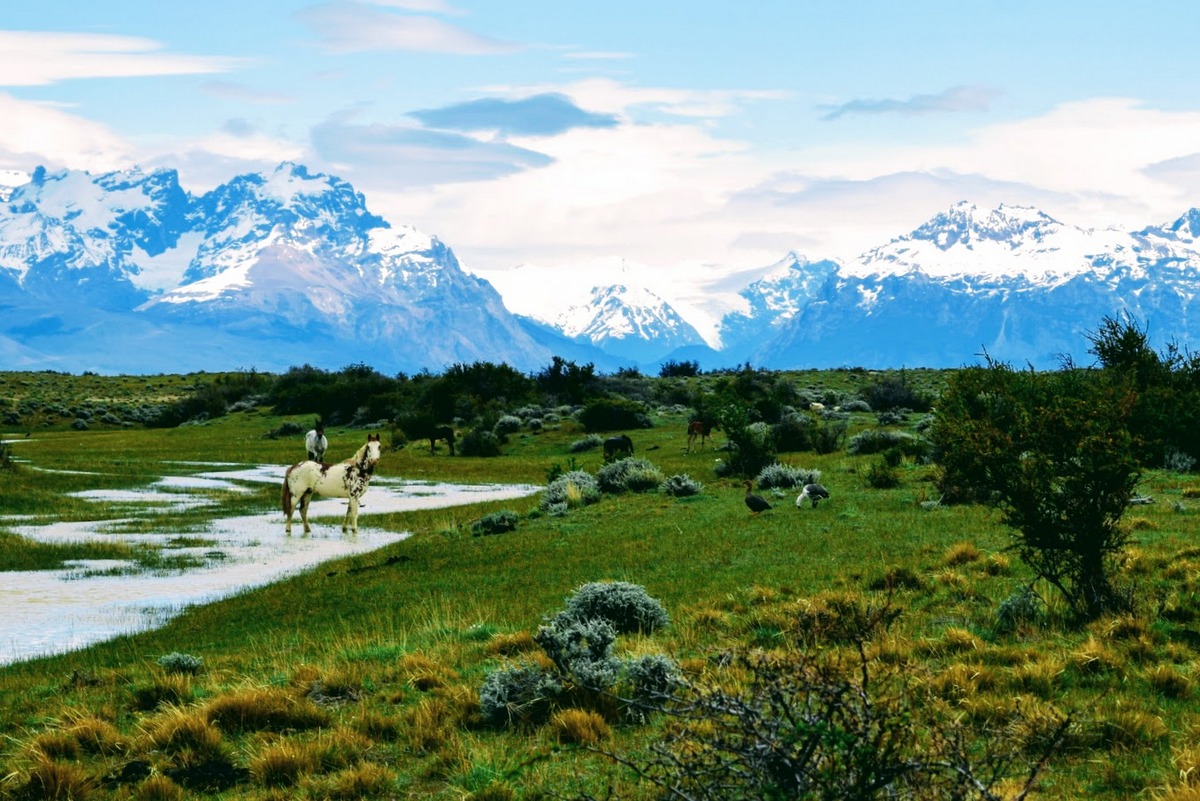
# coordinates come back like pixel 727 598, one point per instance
pixel 999 601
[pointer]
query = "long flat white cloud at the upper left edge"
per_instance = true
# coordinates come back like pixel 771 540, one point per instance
pixel 40 58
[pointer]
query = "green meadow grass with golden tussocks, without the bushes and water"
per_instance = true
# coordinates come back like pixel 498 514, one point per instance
pixel 362 678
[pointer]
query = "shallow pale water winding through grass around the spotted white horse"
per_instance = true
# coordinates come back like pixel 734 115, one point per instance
pixel 51 612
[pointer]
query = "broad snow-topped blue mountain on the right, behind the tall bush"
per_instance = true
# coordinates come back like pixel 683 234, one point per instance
pixel 1012 282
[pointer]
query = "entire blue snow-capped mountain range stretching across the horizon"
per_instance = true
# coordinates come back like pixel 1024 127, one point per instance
pixel 128 273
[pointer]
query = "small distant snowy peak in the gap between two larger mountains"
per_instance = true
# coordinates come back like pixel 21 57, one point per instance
pixel 629 323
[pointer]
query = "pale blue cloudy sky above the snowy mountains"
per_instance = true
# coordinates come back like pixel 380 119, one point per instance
pixel 680 147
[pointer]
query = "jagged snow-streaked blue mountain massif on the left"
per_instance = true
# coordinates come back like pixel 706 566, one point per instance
pixel 129 273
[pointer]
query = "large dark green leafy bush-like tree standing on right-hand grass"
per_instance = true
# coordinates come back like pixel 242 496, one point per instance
pixel 1054 454
